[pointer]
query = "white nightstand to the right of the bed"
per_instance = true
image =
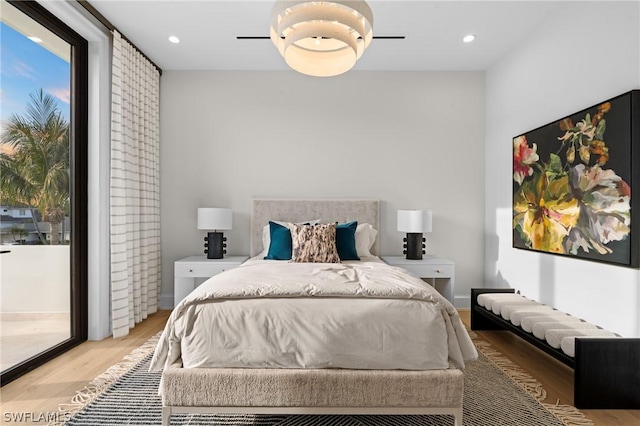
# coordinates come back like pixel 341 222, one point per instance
pixel 440 271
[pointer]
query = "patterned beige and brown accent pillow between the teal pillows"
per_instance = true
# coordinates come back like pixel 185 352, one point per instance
pixel 314 243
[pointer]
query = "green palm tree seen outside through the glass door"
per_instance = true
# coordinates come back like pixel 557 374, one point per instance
pixel 35 167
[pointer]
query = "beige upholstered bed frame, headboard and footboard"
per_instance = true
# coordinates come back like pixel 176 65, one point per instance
pixel 311 391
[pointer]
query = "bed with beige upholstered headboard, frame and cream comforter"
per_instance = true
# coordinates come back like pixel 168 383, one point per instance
pixel 334 338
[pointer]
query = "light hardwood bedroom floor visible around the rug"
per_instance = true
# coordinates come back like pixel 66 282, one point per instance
pixel 41 390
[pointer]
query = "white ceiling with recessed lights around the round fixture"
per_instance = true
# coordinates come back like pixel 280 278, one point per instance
pixel 434 29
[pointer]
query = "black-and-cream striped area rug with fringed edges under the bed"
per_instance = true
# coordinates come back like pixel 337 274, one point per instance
pixel 496 393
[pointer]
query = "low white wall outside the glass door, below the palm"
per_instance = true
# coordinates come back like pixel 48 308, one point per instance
pixel 34 279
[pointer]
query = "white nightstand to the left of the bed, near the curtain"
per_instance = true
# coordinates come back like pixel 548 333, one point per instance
pixel 192 271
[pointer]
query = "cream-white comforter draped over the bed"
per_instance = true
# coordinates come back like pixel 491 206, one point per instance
pixel 274 314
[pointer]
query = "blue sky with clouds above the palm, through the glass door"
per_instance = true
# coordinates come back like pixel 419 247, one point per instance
pixel 25 67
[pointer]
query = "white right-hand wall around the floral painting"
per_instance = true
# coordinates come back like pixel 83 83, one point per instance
pixel 583 56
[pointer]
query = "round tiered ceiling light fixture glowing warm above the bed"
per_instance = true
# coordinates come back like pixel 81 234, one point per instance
pixel 321 38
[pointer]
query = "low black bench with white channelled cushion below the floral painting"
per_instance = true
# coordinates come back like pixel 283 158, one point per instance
pixel 606 370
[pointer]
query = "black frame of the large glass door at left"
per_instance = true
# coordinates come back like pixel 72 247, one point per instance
pixel 78 160
